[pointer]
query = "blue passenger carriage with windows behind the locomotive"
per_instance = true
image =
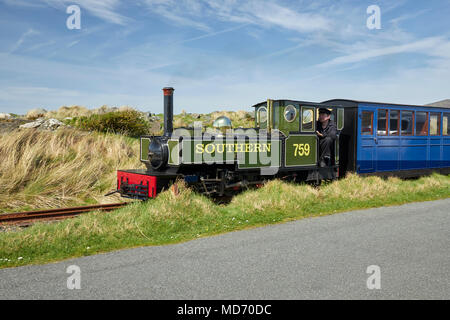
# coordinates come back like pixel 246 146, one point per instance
pixel 394 139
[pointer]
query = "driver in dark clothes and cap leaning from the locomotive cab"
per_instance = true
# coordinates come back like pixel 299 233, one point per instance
pixel 326 131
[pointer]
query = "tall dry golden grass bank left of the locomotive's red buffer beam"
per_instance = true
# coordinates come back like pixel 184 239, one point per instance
pixel 42 169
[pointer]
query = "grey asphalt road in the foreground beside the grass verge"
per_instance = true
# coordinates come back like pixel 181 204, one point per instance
pixel 315 258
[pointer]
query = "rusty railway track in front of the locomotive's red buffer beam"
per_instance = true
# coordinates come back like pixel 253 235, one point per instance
pixel 28 218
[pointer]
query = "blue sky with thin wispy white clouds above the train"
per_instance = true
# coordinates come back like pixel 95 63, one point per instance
pixel 220 55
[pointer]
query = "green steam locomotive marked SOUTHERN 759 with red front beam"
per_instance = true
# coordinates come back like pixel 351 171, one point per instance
pixel 283 144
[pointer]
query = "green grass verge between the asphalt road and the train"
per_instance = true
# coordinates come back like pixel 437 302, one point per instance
pixel 176 218
